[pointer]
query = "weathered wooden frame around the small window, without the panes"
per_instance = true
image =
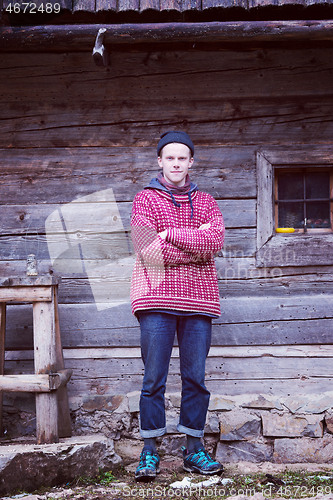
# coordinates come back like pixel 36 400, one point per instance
pixel 282 250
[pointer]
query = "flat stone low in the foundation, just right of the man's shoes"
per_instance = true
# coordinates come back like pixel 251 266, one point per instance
pixel 247 451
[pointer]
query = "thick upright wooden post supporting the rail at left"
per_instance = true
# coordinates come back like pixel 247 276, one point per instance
pixel 45 362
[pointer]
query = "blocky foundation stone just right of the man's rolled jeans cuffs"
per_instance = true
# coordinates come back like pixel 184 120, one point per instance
pixel 238 425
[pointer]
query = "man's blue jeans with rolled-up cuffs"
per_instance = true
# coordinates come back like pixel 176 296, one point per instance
pixel 157 338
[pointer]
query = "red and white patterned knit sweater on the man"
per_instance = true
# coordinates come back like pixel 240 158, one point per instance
pixel 177 273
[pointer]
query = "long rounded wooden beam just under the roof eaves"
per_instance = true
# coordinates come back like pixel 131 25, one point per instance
pixel 81 37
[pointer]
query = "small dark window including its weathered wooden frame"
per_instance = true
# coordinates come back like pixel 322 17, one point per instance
pixel 295 191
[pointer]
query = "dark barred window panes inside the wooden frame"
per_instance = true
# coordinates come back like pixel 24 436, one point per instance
pixel 303 200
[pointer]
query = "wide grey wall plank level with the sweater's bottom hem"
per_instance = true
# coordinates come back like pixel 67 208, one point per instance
pixel 81 326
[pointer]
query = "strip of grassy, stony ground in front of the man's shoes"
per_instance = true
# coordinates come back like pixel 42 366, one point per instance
pixel 288 484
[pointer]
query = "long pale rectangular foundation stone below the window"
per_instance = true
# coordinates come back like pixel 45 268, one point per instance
pixel 287 425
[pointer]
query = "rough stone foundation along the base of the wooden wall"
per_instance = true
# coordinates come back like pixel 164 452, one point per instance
pixel 252 428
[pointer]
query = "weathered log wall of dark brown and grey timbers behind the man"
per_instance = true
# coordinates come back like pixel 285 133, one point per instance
pixel 69 129
